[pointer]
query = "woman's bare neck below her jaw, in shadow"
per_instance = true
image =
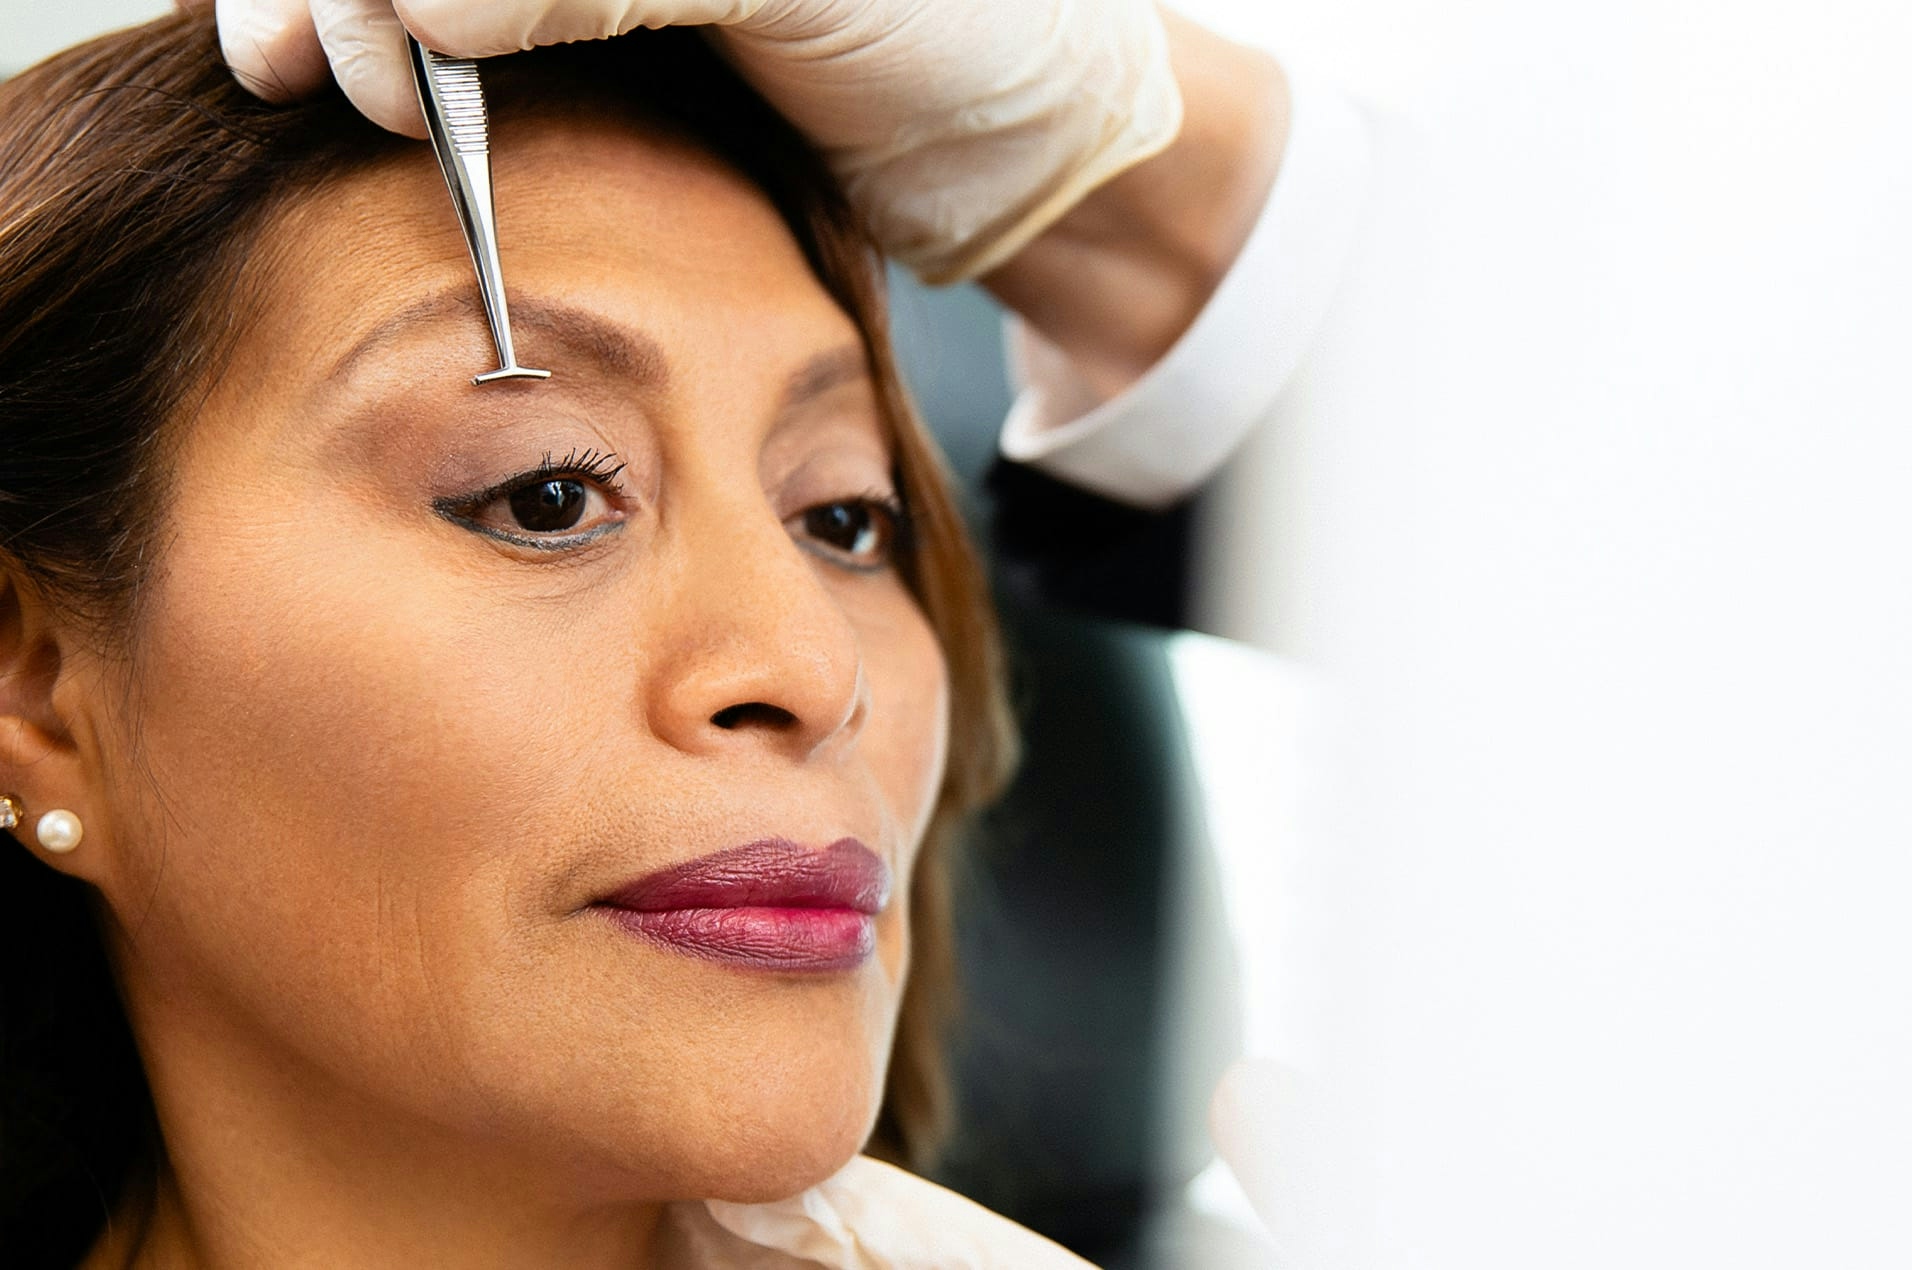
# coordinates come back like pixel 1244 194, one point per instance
pixel 267 1168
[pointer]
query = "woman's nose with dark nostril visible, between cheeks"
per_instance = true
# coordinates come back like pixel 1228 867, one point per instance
pixel 760 653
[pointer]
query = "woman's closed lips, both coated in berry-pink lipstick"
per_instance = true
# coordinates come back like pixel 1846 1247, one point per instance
pixel 766 906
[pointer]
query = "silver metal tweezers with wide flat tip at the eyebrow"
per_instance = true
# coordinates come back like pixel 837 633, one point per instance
pixel 462 135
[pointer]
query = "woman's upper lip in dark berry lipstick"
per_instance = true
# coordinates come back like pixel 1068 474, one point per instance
pixel 773 873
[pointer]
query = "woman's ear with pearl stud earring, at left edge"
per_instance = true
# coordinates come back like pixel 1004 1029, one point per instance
pixel 41 760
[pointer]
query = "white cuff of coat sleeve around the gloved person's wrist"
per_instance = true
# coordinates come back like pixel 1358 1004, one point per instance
pixel 1173 429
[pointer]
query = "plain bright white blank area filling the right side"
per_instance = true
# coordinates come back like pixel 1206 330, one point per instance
pixel 1594 506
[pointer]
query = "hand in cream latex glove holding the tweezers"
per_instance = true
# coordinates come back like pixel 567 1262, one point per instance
pixel 961 129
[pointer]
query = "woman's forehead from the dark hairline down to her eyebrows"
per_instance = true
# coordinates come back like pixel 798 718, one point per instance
pixel 626 257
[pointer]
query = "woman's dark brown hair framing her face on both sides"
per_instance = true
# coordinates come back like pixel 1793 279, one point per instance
pixel 133 179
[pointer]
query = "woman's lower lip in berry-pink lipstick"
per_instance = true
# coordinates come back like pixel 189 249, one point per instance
pixel 806 940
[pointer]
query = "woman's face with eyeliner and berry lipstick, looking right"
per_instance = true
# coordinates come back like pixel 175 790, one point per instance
pixel 431 674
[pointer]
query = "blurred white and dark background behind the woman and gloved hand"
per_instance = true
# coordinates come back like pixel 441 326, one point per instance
pixel 1536 789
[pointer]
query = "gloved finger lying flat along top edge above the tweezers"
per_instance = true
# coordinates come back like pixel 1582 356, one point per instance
pixel 466 30
